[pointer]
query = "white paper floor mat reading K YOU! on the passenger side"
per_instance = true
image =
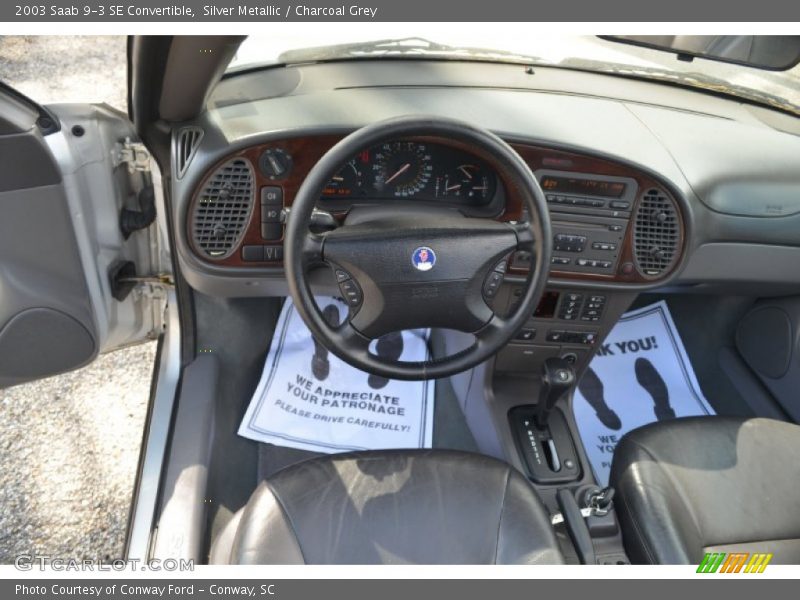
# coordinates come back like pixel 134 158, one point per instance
pixel 641 374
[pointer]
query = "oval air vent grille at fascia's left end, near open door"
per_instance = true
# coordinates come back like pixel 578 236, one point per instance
pixel 223 208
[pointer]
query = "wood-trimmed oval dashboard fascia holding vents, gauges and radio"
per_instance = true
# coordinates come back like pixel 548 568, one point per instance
pixel 611 222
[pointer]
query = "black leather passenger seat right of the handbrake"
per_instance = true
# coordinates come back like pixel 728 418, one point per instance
pixel 709 484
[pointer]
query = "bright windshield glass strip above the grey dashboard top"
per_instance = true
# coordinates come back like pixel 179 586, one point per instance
pixel 513 43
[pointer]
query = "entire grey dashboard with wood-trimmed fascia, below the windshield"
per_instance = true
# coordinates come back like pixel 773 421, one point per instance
pixel 647 185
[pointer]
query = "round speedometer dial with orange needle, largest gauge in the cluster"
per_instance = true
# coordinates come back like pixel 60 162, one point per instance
pixel 402 169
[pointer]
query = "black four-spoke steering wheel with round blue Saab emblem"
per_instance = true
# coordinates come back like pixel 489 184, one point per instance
pixel 416 269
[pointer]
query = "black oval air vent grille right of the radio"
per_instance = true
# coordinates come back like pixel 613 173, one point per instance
pixel 656 234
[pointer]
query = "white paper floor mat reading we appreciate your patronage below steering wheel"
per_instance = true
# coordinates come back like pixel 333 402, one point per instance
pixel 308 399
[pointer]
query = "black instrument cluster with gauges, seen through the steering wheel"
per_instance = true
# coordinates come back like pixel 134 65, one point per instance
pixel 410 170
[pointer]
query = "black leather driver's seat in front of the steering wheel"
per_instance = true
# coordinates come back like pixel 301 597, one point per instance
pixel 419 507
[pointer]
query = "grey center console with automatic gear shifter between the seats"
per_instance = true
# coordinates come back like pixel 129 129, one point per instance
pixel 530 401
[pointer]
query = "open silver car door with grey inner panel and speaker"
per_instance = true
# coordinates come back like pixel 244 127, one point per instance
pixel 60 200
